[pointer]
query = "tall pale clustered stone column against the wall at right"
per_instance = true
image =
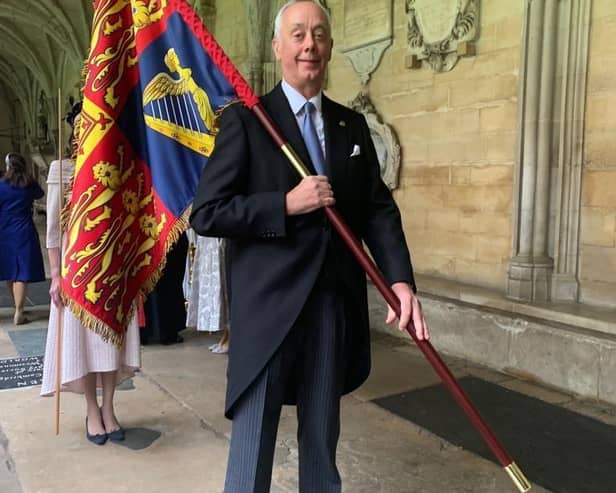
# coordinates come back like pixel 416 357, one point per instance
pixel 551 102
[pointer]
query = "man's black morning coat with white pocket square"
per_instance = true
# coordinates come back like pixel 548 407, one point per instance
pixel 274 259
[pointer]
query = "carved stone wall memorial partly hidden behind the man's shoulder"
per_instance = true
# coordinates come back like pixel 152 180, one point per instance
pixel 384 138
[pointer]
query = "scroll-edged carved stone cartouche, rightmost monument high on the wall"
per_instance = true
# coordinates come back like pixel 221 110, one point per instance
pixel 440 31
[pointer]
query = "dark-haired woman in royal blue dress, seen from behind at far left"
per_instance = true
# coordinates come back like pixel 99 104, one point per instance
pixel 21 260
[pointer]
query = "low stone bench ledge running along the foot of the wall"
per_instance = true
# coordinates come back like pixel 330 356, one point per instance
pixel 538 343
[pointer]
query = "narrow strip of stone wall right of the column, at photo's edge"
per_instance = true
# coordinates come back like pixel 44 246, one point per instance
pixel 598 224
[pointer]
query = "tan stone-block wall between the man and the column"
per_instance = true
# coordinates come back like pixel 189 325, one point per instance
pixel 457 131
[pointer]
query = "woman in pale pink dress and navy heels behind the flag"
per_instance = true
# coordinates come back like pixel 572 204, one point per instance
pixel 88 361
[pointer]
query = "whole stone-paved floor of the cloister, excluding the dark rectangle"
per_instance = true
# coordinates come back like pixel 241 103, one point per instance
pixel 178 438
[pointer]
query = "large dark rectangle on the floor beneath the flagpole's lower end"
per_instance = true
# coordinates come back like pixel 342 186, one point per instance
pixel 556 448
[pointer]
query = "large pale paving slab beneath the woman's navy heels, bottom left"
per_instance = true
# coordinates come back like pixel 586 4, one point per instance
pixel 186 458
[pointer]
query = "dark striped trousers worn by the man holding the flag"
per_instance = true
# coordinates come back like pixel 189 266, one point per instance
pixel 311 355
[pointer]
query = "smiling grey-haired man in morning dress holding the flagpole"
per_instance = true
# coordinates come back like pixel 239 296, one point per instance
pixel 299 315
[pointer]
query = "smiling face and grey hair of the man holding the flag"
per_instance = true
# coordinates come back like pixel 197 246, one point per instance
pixel 304 47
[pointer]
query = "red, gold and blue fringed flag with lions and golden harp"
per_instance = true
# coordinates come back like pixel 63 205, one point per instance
pixel 153 88
